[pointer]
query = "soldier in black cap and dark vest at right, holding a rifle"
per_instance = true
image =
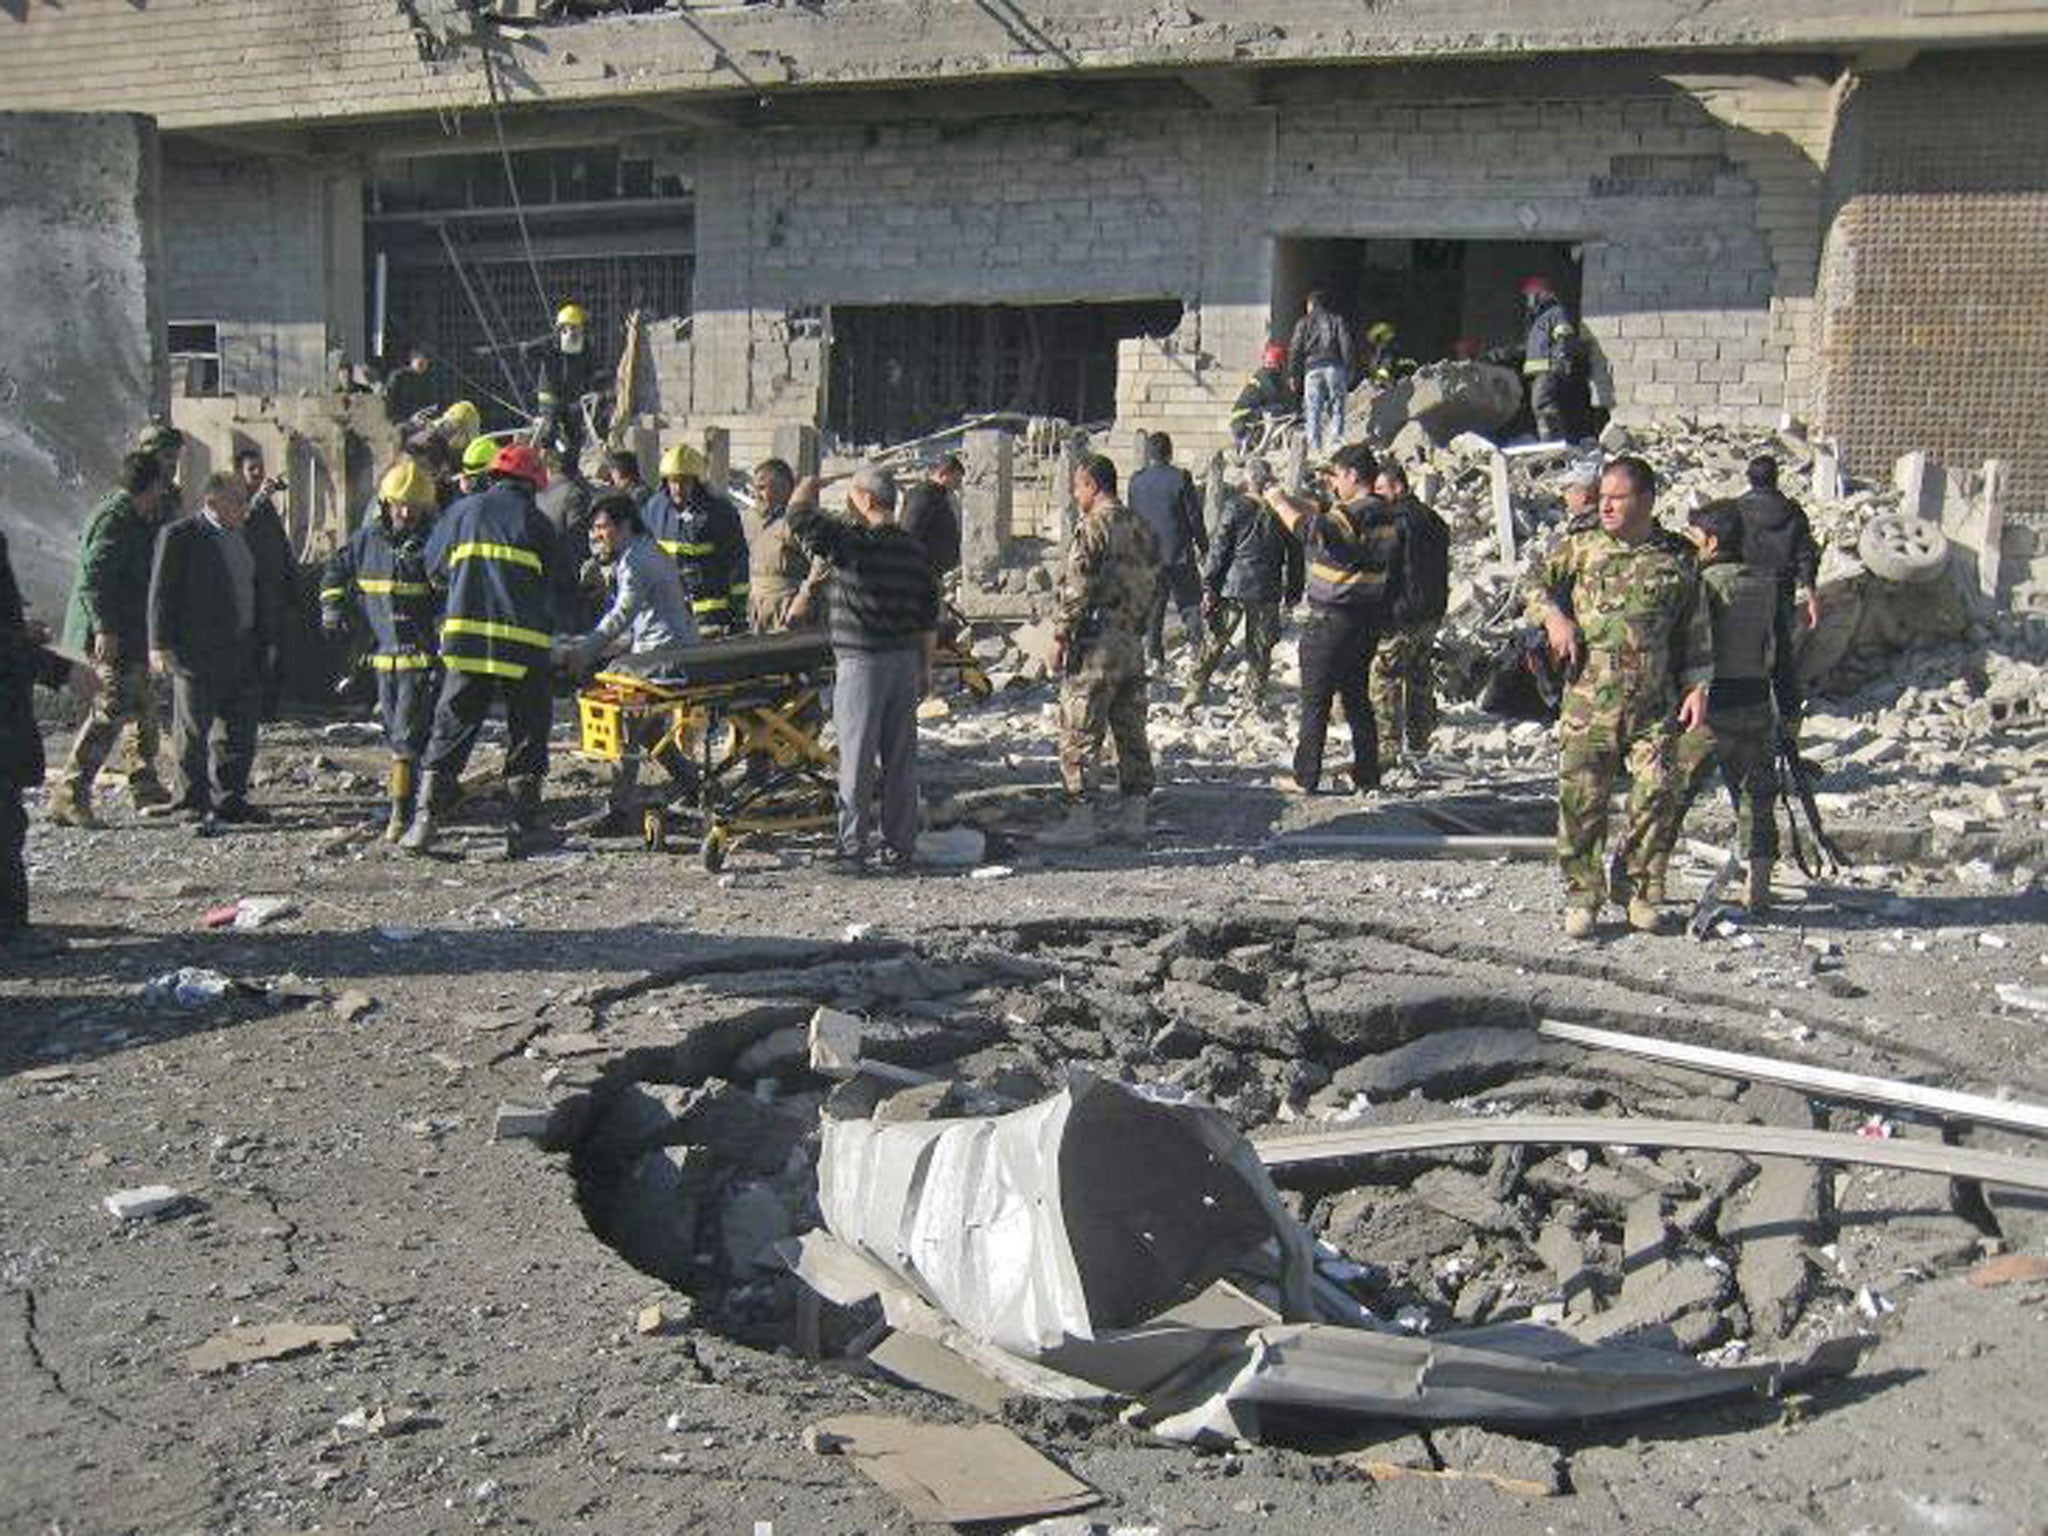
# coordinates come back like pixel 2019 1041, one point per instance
pixel 1742 734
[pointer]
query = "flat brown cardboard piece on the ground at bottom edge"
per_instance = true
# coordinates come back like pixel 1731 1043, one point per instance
pixel 951 1476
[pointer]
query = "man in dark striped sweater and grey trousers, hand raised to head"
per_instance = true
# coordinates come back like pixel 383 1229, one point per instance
pixel 884 640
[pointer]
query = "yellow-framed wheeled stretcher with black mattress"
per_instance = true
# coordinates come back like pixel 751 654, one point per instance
pixel 736 722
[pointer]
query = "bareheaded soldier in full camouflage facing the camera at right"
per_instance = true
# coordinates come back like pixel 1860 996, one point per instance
pixel 1621 607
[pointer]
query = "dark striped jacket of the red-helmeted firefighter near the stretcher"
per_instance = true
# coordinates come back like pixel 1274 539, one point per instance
pixel 495 556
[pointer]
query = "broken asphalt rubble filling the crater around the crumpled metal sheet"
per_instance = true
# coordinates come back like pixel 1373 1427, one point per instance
pixel 701 1162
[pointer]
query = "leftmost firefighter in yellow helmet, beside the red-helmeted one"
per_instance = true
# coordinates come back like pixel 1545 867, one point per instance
pixel 380 579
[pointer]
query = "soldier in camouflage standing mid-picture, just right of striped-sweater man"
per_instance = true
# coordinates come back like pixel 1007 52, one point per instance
pixel 1099 652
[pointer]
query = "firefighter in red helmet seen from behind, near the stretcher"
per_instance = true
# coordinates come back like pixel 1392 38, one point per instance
pixel 495 558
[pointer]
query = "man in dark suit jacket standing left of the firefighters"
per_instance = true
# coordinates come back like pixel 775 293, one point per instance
pixel 216 609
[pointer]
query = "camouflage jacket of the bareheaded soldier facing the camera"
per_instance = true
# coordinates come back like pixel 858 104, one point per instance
pixel 1637 607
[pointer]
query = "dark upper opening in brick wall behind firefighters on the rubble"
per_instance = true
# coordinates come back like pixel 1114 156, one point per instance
pixel 1435 292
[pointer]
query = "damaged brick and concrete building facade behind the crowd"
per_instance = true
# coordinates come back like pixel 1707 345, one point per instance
pixel 878 218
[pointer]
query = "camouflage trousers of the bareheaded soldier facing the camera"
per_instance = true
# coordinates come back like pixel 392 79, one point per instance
pixel 1594 746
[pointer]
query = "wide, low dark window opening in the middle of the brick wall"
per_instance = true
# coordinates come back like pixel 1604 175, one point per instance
pixel 900 372
